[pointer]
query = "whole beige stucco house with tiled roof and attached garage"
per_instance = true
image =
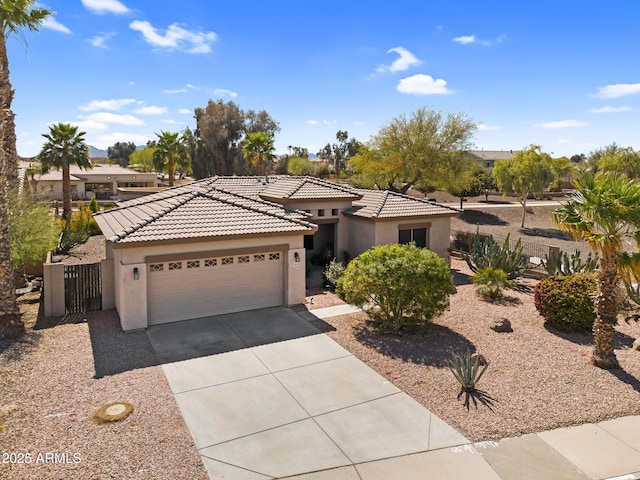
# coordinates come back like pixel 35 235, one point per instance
pixel 227 244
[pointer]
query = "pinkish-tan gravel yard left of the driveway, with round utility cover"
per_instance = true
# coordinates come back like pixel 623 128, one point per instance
pixel 50 392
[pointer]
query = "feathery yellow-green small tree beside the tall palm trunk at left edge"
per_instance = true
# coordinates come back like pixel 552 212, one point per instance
pixel 34 232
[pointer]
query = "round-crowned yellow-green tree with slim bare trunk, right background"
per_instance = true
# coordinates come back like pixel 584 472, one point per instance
pixel 528 172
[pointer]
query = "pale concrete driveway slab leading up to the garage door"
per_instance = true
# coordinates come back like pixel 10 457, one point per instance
pixel 267 395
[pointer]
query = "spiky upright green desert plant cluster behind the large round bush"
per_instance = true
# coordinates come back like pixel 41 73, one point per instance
pixel 486 252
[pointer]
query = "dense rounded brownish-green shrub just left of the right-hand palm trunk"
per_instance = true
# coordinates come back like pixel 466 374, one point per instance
pixel 567 303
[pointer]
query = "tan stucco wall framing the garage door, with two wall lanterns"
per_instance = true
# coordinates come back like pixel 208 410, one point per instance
pixel 130 295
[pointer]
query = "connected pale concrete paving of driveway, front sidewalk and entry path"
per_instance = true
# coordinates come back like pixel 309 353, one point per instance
pixel 265 395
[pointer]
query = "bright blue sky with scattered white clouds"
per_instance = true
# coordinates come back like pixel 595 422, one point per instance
pixel 561 74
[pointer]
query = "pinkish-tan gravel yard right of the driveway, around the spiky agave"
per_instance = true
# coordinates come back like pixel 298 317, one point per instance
pixel 537 379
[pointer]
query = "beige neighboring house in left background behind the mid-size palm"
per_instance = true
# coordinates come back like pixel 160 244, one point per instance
pixel 103 181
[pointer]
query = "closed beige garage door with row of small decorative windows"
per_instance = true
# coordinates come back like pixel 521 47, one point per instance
pixel 199 287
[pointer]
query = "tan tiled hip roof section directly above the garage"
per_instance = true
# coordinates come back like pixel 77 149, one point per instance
pixel 198 210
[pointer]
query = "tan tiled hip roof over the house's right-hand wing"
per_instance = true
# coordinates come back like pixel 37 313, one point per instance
pixel 385 204
